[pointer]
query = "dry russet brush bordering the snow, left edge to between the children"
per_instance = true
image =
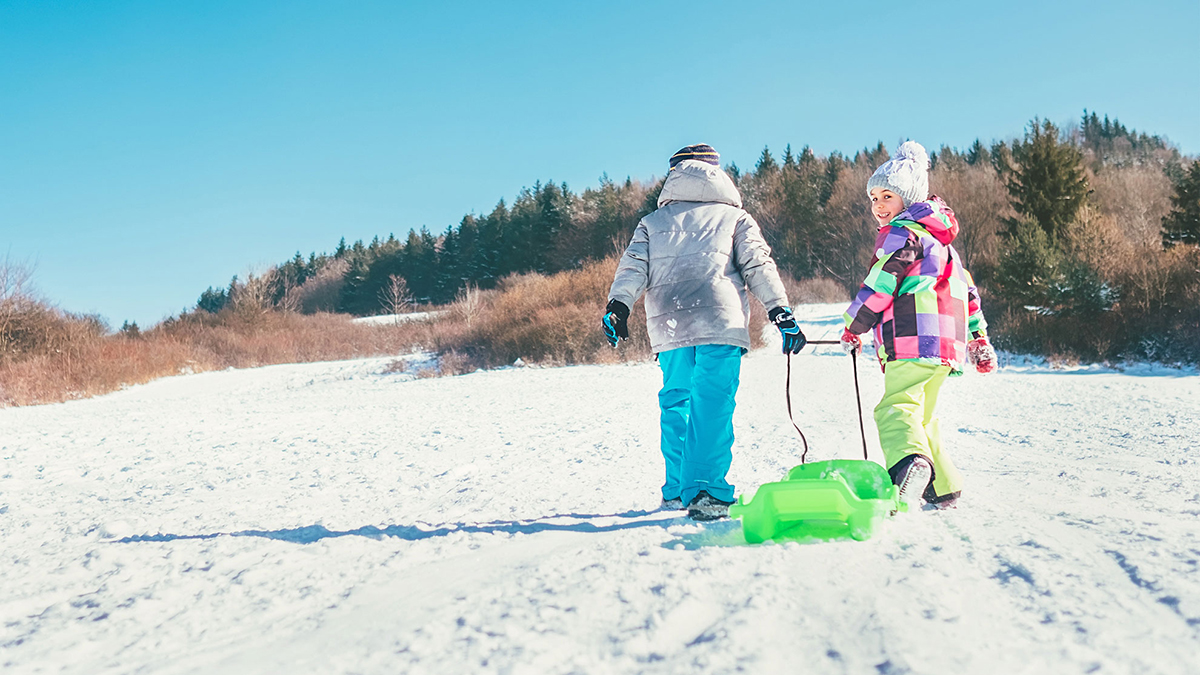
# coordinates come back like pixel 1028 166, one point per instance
pixel 51 356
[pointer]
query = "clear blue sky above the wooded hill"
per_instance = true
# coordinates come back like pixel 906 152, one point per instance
pixel 152 150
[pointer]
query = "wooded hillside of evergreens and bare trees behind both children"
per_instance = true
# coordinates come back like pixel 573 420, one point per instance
pixel 1073 236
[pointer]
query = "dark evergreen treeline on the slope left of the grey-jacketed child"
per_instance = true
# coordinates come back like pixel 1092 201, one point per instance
pixel 547 230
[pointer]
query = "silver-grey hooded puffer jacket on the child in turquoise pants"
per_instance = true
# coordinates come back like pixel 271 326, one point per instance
pixel 694 259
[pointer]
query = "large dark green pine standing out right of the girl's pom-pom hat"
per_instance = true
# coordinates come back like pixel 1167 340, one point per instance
pixel 1047 181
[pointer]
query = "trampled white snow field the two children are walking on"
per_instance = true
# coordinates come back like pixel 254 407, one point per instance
pixel 329 518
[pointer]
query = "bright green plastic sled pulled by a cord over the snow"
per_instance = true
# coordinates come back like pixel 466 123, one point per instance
pixel 823 500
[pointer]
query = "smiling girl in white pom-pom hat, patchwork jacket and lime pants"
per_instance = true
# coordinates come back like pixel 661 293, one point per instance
pixel 925 310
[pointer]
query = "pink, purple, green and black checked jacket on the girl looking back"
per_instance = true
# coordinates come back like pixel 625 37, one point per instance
pixel 919 298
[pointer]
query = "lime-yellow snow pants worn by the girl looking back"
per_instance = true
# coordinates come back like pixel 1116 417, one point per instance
pixel 907 422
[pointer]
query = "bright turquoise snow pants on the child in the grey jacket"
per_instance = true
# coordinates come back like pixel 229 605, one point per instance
pixel 697 403
